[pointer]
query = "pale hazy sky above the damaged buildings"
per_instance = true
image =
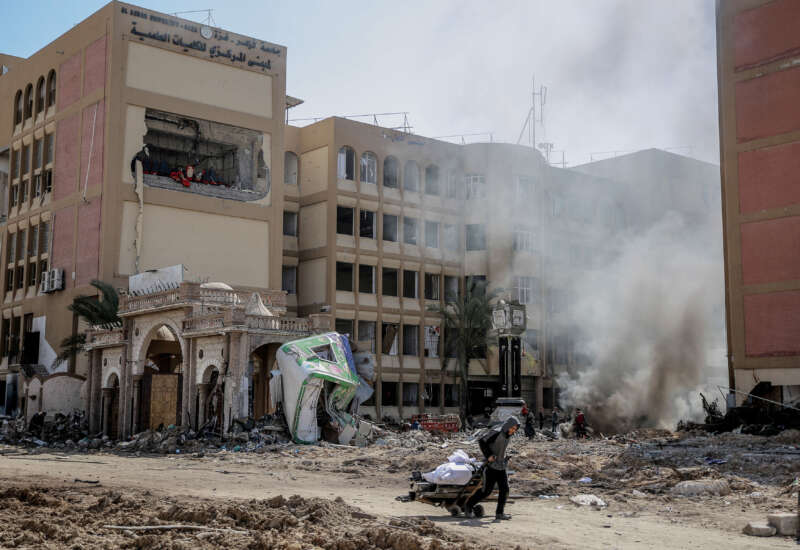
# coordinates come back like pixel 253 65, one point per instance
pixel 621 75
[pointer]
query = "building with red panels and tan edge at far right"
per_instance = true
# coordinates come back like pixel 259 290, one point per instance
pixel 759 81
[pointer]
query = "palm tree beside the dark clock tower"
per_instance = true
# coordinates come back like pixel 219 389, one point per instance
pixel 467 320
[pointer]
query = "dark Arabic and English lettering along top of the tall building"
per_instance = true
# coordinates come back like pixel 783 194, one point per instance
pixel 203 40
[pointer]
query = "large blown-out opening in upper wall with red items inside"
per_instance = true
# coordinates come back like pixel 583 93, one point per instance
pixel 203 156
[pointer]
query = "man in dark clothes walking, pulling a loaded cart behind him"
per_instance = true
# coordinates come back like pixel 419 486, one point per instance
pixel 493 446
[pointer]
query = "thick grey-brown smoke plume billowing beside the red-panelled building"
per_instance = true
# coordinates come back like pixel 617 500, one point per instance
pixel 645 323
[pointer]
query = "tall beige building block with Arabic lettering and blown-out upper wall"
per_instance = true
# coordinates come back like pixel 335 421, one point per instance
pixel 199 111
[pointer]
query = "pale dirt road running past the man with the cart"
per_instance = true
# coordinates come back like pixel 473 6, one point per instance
pixel 226 477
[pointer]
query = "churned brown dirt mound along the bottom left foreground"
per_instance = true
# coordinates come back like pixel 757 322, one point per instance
pixel 99 518
